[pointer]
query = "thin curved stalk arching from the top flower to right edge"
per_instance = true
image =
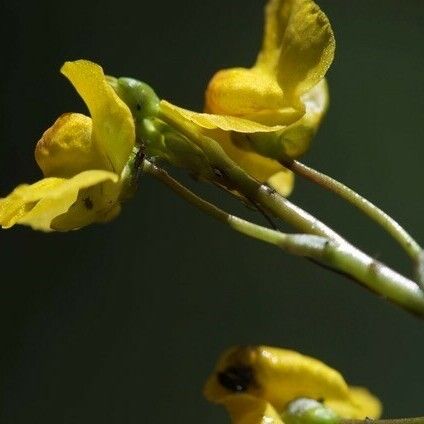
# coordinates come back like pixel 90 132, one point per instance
pixel 411 247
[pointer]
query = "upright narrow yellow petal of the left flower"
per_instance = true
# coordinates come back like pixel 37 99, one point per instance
pixel 113 125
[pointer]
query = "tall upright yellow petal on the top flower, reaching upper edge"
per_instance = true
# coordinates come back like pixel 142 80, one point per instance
pixel 298 44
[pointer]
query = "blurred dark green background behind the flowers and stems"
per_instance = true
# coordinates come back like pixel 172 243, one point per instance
pixel 122 323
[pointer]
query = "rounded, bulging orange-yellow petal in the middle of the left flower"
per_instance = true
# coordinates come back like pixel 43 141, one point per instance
pixel 67 147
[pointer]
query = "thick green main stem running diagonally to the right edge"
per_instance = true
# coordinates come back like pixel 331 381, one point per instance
pixel 338 253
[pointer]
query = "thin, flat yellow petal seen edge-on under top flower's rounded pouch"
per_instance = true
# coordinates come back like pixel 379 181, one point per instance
pixel 210 121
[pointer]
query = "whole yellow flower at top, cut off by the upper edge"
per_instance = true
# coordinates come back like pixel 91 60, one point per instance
pixel 270 112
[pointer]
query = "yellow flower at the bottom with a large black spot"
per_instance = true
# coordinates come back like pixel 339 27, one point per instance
pixel 255 380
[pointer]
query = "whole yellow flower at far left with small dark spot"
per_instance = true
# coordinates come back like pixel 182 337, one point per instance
pixel 82 159
